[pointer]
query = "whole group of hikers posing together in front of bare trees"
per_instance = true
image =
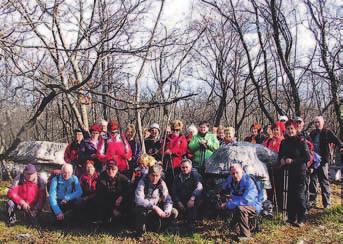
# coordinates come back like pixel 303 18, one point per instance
pixel 107 179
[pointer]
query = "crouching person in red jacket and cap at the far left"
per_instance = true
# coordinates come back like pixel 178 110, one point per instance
pixel 27 193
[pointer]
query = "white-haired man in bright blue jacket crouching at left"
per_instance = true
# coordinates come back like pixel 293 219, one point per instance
pixel 64 190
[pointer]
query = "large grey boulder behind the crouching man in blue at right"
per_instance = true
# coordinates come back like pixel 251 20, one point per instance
pixel 253 158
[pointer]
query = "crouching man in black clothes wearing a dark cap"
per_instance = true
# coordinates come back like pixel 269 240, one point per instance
pixel 113 193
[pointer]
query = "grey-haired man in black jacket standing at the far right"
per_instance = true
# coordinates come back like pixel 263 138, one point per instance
pixel 321 138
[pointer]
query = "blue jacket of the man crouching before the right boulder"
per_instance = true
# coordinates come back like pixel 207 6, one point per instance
pixel 245 194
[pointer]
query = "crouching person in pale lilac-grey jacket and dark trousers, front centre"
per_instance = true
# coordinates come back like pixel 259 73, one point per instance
pixel 153 202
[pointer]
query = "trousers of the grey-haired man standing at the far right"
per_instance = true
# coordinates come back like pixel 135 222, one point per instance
pixel 322 175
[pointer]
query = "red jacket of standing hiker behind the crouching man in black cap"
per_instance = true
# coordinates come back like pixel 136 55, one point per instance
pixel 117 149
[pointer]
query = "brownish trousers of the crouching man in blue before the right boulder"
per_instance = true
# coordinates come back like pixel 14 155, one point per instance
pixel 240 220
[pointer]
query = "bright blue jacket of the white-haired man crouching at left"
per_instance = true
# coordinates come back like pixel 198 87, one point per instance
pixel 61 189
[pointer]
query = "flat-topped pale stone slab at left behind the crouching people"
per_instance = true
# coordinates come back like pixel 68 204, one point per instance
pixel 39 152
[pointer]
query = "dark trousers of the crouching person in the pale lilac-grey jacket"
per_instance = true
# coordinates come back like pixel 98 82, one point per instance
pixel 147 219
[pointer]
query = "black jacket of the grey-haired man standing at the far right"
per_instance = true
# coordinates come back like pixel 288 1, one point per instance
pixel 326 136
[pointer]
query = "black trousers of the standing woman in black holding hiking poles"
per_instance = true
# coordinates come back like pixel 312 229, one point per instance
pixel 296 200
